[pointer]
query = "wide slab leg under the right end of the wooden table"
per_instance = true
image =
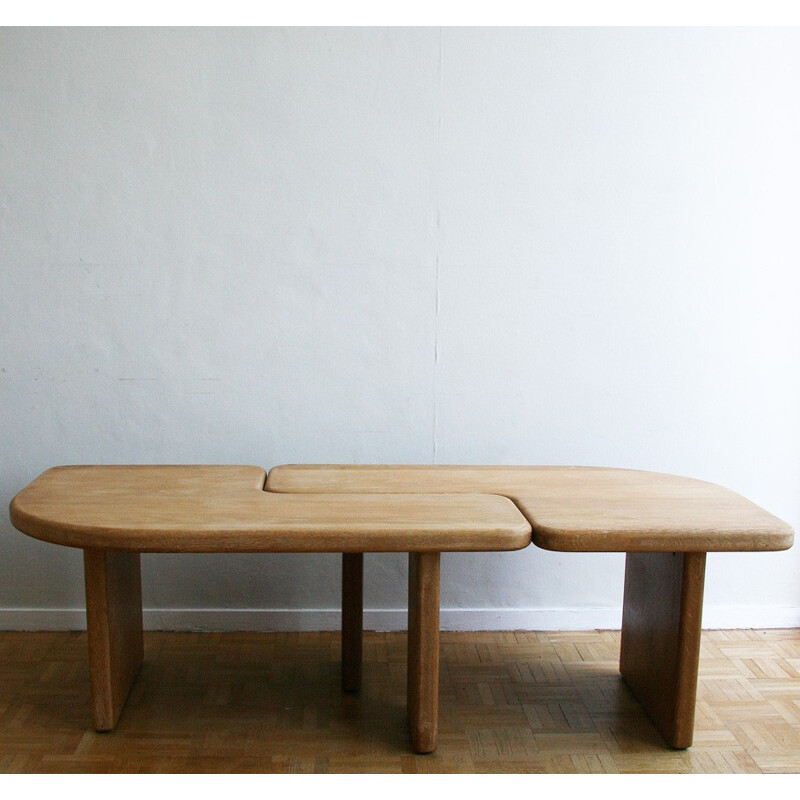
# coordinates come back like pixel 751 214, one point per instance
pixel 660 650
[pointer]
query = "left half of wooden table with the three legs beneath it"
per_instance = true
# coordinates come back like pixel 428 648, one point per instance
pixel 114 513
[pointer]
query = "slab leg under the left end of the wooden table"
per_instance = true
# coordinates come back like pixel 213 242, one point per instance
pixel 114 626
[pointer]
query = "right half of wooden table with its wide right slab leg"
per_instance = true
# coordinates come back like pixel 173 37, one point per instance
pixel 664 523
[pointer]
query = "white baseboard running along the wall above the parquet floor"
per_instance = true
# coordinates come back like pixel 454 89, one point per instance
pixel 451 619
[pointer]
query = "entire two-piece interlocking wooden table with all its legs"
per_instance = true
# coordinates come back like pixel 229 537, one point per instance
pixel 660 520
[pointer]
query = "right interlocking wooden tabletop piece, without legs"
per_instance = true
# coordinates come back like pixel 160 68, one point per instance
pixel 588 509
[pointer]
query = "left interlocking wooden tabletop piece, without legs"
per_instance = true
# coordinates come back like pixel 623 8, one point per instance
pixel 225 509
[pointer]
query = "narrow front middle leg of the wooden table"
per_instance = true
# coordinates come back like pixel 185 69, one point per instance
pixel 423 649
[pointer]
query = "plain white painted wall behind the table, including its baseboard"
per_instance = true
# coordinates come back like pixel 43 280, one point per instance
pixel 535 246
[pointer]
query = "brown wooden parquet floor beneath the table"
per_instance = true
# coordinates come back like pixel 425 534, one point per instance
pixel 509 702
